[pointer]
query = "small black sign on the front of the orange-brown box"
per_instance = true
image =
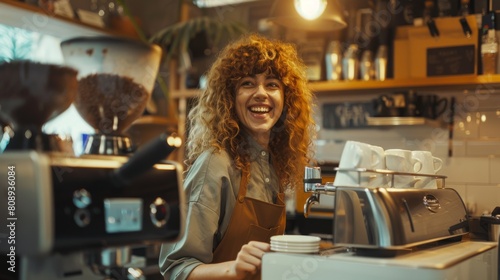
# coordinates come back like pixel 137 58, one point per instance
pixel 457 60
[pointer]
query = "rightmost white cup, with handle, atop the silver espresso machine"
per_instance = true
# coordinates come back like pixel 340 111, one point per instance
pixel 430 165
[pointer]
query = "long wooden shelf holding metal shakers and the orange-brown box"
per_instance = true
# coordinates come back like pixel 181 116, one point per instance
pixel 469 82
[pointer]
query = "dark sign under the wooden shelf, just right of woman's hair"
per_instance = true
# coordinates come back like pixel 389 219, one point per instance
pixel 346 114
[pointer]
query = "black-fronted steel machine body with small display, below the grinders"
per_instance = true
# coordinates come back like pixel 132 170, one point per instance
pixel 74 219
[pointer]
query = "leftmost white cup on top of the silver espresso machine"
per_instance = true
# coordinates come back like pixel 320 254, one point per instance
pixel 360 155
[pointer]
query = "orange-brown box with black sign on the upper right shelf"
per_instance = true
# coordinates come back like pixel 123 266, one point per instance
pixel 417 54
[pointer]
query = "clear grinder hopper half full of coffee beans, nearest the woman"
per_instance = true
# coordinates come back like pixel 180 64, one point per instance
pixel 115 80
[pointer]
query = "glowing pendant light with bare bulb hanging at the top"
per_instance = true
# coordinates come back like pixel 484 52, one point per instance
pixel 308 15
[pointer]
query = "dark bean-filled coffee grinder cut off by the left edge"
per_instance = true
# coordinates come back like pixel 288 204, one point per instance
pixel 31 94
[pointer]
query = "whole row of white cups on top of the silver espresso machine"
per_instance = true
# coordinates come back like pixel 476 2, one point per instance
pixel 361 155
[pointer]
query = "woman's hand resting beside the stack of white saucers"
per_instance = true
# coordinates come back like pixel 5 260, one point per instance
pixel 249 259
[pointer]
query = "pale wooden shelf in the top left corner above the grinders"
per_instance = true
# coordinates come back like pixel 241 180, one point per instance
pixel 29 17
